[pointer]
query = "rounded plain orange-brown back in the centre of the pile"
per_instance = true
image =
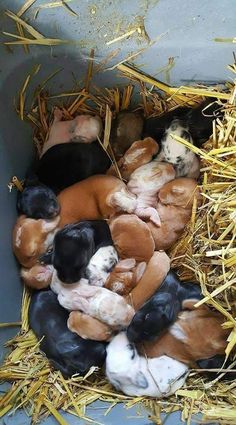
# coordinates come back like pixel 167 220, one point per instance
pixel 132 237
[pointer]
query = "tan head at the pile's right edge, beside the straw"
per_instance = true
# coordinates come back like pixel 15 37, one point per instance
pixel 179 192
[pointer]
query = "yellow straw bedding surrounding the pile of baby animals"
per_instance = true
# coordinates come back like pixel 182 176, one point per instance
pixel 205 252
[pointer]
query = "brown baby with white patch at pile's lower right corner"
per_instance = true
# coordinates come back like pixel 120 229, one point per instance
pixel 196 335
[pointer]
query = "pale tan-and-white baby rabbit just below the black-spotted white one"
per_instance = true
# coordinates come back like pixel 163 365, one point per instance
pixel 145 182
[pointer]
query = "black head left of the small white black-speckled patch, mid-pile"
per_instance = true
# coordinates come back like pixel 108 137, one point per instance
pixel 73 248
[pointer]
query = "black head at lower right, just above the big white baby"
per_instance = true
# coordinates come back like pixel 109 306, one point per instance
pixel 154 317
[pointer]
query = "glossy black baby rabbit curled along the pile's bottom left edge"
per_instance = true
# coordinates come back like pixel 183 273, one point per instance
pixel 65 350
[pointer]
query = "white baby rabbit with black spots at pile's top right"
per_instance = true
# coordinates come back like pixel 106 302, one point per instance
pixel 185 162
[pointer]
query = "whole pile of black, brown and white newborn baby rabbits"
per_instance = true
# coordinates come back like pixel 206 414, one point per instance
pixel 93 249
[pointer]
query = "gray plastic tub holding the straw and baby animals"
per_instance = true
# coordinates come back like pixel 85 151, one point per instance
pixel 187 29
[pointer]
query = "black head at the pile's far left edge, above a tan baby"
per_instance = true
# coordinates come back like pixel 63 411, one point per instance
pixel 38 202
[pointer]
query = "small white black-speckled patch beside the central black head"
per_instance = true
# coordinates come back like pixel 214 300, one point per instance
pixel 101 264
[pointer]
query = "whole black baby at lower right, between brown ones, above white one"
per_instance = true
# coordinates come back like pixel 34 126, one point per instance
pixel 162 309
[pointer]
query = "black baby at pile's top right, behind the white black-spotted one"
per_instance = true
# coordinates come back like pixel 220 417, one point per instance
pixel 198 123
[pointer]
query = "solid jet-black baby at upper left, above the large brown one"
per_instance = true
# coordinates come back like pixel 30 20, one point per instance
pixel 67 163
